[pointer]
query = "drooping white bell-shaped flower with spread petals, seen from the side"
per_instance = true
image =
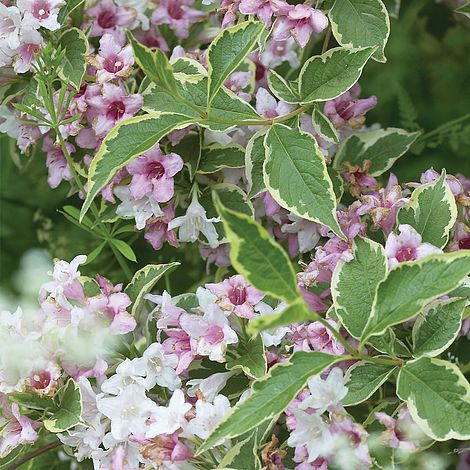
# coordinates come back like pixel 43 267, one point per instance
pixel 195 221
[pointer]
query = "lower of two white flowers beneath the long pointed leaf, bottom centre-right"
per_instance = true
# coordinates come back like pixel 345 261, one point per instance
pixel 312 433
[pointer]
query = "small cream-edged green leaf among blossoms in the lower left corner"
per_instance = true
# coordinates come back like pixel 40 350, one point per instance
pixel 69 412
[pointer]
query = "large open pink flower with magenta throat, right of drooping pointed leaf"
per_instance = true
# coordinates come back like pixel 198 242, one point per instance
pixel 153 172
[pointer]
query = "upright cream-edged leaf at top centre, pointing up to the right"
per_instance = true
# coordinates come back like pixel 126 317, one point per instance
pixel 228 50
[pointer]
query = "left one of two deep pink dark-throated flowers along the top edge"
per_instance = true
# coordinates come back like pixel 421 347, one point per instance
pixel 109 18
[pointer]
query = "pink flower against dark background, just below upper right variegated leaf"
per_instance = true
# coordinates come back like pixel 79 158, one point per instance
pixel 348 109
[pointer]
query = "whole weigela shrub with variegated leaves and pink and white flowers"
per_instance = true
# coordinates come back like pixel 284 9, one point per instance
pixel 323 335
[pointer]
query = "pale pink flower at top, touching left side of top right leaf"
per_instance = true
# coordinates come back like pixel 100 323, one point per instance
pixel 299 21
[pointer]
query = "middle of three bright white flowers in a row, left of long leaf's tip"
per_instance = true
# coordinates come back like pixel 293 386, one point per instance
pixel 169 419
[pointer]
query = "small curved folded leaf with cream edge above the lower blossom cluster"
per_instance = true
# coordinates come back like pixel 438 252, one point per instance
pixel 143 282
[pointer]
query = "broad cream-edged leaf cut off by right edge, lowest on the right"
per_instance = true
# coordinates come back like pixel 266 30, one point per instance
pixel 438 397
